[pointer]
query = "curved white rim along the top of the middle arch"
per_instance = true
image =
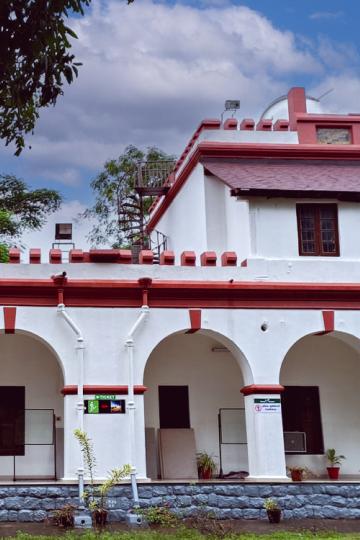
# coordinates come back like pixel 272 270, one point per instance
pixel 223 340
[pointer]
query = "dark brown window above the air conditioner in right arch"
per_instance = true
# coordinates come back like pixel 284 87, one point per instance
pixel 301 413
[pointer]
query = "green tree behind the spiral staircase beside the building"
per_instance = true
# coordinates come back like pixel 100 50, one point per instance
pixel 118 208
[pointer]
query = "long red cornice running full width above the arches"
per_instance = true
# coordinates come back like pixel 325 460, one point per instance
pixel 183 294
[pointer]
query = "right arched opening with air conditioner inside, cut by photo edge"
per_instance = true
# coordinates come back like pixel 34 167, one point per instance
pixel 321 400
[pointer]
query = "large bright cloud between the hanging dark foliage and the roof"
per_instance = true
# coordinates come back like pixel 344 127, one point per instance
pixel 151 72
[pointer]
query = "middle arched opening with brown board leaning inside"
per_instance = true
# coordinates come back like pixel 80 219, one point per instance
pixel 194 383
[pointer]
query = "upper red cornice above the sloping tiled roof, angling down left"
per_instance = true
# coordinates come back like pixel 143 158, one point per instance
pixel 214 149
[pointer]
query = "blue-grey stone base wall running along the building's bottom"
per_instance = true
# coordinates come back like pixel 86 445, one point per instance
pixel 225 501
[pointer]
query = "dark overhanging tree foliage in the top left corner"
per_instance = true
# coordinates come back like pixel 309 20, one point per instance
pixel 34 61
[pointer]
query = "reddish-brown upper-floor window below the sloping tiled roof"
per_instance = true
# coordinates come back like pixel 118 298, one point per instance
pixel 318 229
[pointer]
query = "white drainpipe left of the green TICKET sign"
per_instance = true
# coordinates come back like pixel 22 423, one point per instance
pixel 80 347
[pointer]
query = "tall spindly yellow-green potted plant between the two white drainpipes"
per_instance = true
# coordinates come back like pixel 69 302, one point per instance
pixel 96 496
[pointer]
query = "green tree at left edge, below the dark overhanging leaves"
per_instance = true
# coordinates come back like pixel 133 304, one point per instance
pixel 22 208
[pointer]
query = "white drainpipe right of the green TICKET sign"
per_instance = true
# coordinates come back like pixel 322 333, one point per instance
pixel 129 343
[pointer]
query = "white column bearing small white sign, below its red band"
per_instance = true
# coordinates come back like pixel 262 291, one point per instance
pixel 265 436
